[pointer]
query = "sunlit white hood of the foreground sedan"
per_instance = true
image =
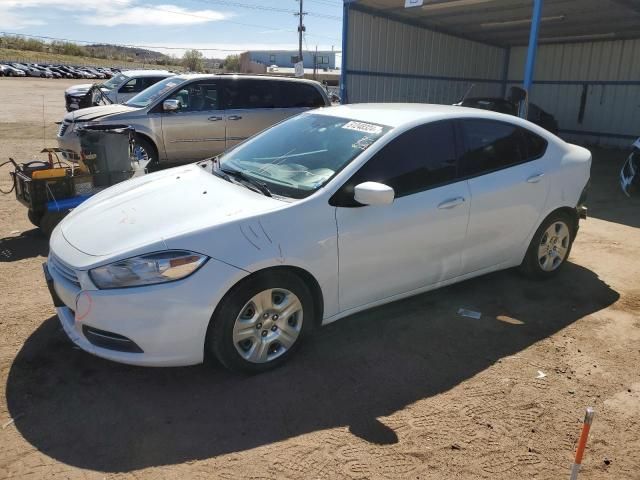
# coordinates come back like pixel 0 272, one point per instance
pixel 150 209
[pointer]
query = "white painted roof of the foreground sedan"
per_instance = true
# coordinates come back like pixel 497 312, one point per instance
pixel 404 114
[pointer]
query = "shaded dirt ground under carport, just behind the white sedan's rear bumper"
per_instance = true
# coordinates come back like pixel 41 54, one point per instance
pixel 605 199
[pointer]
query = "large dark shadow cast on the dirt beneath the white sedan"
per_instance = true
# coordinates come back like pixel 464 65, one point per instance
pixel 94 414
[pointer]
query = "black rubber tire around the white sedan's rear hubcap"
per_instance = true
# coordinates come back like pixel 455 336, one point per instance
pixel 531 265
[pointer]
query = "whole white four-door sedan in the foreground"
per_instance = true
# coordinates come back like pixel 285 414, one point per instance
pixel 321 216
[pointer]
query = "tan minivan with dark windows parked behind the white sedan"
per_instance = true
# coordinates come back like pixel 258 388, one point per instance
pixel 191 117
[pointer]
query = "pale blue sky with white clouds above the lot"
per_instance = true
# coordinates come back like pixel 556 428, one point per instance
pixel 217 27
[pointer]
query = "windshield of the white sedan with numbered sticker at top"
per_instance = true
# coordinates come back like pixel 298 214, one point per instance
pixel 298 156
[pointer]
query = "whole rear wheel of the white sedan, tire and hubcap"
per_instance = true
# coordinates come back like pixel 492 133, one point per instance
pixel 550 246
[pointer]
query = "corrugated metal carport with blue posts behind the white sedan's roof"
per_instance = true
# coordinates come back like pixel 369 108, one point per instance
pixel 584 67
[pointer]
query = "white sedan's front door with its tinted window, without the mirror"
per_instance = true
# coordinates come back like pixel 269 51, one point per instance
pixel 416 241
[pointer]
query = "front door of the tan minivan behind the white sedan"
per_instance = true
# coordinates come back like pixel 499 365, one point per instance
pixel 197 130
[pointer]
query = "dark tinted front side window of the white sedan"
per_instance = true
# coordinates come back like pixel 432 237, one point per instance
pixel 417 160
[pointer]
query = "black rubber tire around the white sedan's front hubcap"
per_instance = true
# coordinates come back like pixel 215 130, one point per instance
pixel 220 340
